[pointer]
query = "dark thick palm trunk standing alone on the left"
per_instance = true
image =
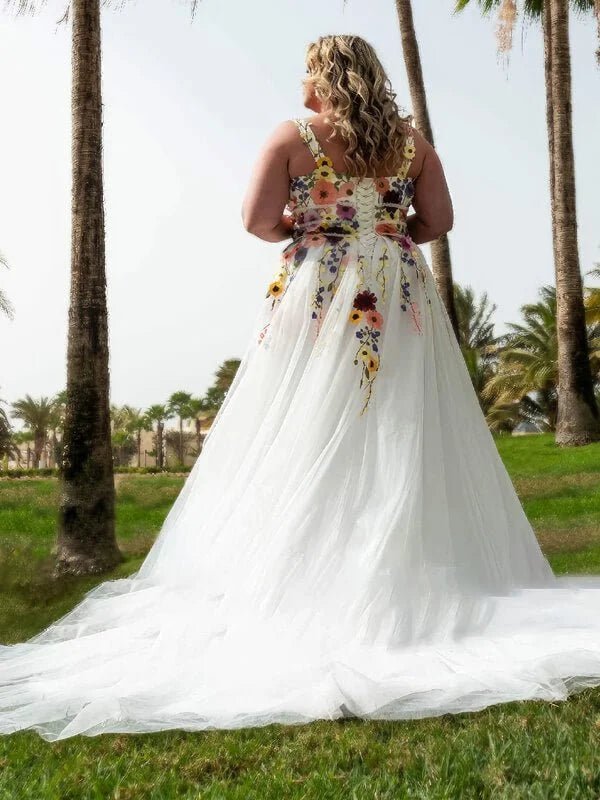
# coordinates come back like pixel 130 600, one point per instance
pixel 86 541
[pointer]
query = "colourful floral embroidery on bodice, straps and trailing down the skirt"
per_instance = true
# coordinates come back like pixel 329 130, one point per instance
pixel 325 212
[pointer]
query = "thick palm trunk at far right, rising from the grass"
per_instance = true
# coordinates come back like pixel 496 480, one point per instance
pixel 578 421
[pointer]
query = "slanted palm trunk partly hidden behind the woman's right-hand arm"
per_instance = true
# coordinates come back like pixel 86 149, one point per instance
pixel 440 248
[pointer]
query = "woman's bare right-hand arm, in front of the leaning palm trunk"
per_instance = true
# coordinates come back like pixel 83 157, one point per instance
pixel 432 203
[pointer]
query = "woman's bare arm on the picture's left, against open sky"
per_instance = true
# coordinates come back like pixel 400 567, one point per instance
pixel 268 191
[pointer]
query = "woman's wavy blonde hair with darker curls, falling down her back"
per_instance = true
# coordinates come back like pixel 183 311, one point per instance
pixel 348 77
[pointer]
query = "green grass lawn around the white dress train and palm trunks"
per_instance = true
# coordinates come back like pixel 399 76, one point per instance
pixel 513 751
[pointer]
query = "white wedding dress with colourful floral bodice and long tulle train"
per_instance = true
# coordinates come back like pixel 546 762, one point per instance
pixel 348 543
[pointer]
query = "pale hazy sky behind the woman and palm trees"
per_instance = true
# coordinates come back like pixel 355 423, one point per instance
pixel 187 106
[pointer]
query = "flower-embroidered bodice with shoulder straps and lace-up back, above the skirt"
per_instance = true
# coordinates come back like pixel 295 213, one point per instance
pixel 330 204
